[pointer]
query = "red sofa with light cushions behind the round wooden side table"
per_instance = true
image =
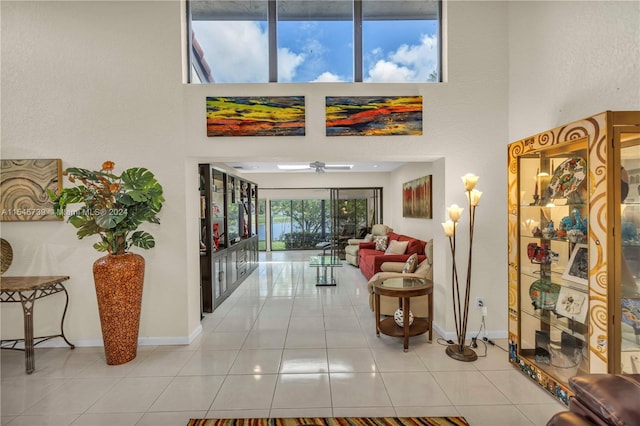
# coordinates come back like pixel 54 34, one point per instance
pixel 370 259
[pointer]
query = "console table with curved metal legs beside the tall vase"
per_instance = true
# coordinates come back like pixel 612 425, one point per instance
pixel 27 290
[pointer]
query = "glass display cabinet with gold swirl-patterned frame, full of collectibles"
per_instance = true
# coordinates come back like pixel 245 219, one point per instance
pixel 574 250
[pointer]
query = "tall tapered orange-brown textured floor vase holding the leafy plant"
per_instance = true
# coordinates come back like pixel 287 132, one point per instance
pixel 118 280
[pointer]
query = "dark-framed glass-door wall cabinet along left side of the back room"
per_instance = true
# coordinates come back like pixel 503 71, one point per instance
pixel 228 233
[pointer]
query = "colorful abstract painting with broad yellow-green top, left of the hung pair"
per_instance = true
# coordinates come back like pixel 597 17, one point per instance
pixel 256 116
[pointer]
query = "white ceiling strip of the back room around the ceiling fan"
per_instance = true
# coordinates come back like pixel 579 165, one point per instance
pixel 272 167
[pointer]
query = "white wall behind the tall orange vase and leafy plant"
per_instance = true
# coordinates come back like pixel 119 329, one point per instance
pixel 88 82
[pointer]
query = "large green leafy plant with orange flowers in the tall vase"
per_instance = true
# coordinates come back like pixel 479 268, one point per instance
pixel 113 206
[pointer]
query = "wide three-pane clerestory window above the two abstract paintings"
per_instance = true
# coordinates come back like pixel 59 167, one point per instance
pixel 259 41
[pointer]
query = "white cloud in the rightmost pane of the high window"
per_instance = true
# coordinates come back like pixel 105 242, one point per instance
pixel 407 63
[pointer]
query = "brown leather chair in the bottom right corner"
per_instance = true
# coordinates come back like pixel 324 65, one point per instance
pixel 603 400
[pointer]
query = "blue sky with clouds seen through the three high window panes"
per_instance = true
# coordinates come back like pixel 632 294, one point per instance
pixel 394 51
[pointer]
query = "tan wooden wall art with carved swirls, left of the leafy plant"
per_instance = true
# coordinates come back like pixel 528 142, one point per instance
pixel 23 185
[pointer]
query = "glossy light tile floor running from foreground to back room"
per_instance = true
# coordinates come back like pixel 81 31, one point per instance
pixel 278 346
